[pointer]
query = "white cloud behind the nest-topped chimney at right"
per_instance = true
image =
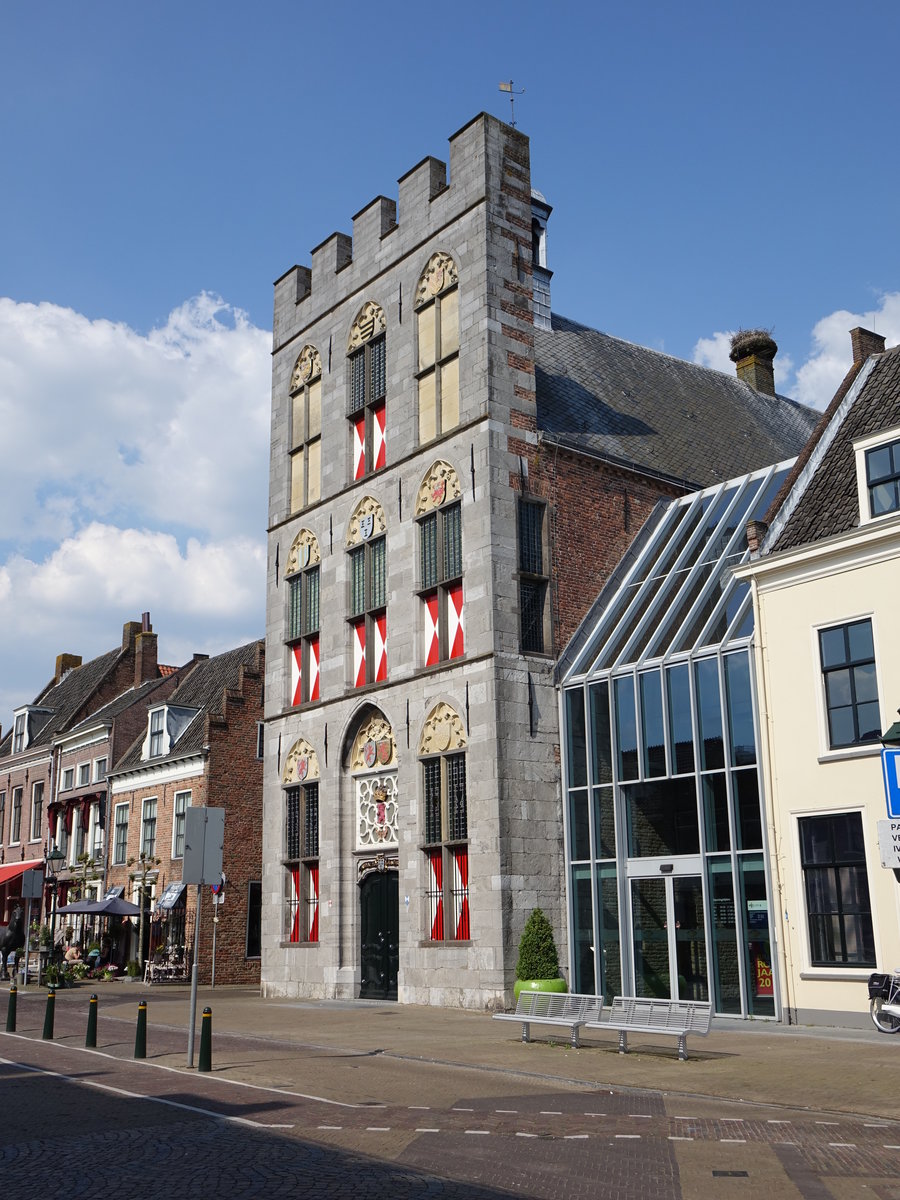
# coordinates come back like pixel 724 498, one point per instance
pixel 818 379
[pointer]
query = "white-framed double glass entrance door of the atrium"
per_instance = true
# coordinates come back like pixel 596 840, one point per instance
pixel 669 933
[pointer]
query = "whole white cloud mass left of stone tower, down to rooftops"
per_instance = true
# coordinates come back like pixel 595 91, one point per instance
pixel 135 478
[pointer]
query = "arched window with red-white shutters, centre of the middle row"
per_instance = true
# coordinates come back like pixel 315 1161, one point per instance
pixel 367 550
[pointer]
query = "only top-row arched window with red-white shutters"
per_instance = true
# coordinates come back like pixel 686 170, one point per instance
pixel 367 357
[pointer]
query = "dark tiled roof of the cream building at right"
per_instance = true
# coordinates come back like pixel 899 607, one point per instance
pixel 825 499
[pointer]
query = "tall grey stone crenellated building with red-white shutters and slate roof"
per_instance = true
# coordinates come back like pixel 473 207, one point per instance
pixel 455 471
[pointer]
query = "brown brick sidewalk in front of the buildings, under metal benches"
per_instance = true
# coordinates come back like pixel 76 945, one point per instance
pixel 285 1042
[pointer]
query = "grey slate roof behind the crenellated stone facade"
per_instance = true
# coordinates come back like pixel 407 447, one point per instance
pixel 670 418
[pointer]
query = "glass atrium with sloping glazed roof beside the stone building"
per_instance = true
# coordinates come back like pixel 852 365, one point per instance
pixel 669 883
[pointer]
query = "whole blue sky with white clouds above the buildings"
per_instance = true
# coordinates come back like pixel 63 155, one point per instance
pixel 711 166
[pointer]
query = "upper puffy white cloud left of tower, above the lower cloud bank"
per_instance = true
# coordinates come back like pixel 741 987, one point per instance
pixel 101 423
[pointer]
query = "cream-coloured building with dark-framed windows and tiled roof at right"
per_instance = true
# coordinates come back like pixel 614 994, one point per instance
pixel 826 578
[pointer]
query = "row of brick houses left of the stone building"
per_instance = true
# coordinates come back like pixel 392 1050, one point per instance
pixel 101 769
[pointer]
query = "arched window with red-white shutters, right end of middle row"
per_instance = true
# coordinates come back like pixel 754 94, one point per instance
pixel 439 513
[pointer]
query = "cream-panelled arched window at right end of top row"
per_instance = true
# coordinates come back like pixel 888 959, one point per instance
pixel 437 313
